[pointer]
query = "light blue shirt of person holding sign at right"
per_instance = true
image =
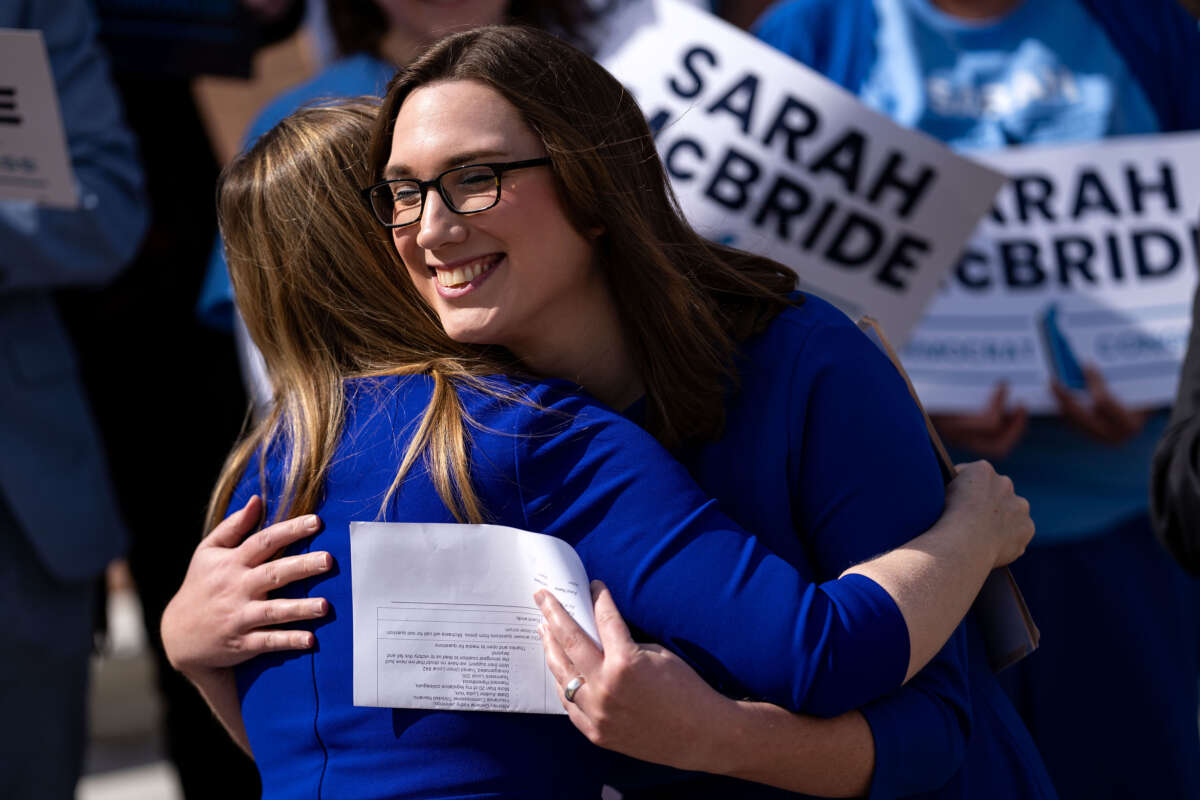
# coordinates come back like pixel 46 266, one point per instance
pixel 1046 73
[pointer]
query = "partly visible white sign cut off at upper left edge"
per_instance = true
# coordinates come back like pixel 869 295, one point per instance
pixel 34 164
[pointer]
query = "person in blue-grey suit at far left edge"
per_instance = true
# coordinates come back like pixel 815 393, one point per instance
pixel 59 521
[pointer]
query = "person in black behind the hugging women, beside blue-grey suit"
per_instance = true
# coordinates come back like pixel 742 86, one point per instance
pixel 157 51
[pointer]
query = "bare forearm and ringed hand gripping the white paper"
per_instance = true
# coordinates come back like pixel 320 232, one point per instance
pixel 644 701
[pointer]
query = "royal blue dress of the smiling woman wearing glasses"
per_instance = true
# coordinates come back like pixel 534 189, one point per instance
pixel 824 466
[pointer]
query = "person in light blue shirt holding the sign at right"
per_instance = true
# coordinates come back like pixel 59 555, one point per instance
pixel 1112 695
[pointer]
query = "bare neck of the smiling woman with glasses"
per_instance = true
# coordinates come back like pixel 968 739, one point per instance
pixel 584 342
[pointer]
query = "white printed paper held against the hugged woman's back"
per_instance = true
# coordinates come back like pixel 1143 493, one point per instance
pixel 445 616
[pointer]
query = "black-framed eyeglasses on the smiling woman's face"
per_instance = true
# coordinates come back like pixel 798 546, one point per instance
pixel 466 190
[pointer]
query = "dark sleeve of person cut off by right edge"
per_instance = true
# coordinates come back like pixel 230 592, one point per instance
pixel 1175 484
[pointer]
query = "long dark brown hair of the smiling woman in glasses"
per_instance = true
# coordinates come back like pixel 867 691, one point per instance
pixel 685 303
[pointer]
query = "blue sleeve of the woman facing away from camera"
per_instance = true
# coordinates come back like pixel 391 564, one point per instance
pixel 685 575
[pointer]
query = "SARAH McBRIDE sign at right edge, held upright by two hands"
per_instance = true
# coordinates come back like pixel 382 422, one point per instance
pixel 1089 257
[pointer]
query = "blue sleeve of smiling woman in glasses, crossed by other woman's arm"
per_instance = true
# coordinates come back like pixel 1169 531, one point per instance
pixel 866 482
